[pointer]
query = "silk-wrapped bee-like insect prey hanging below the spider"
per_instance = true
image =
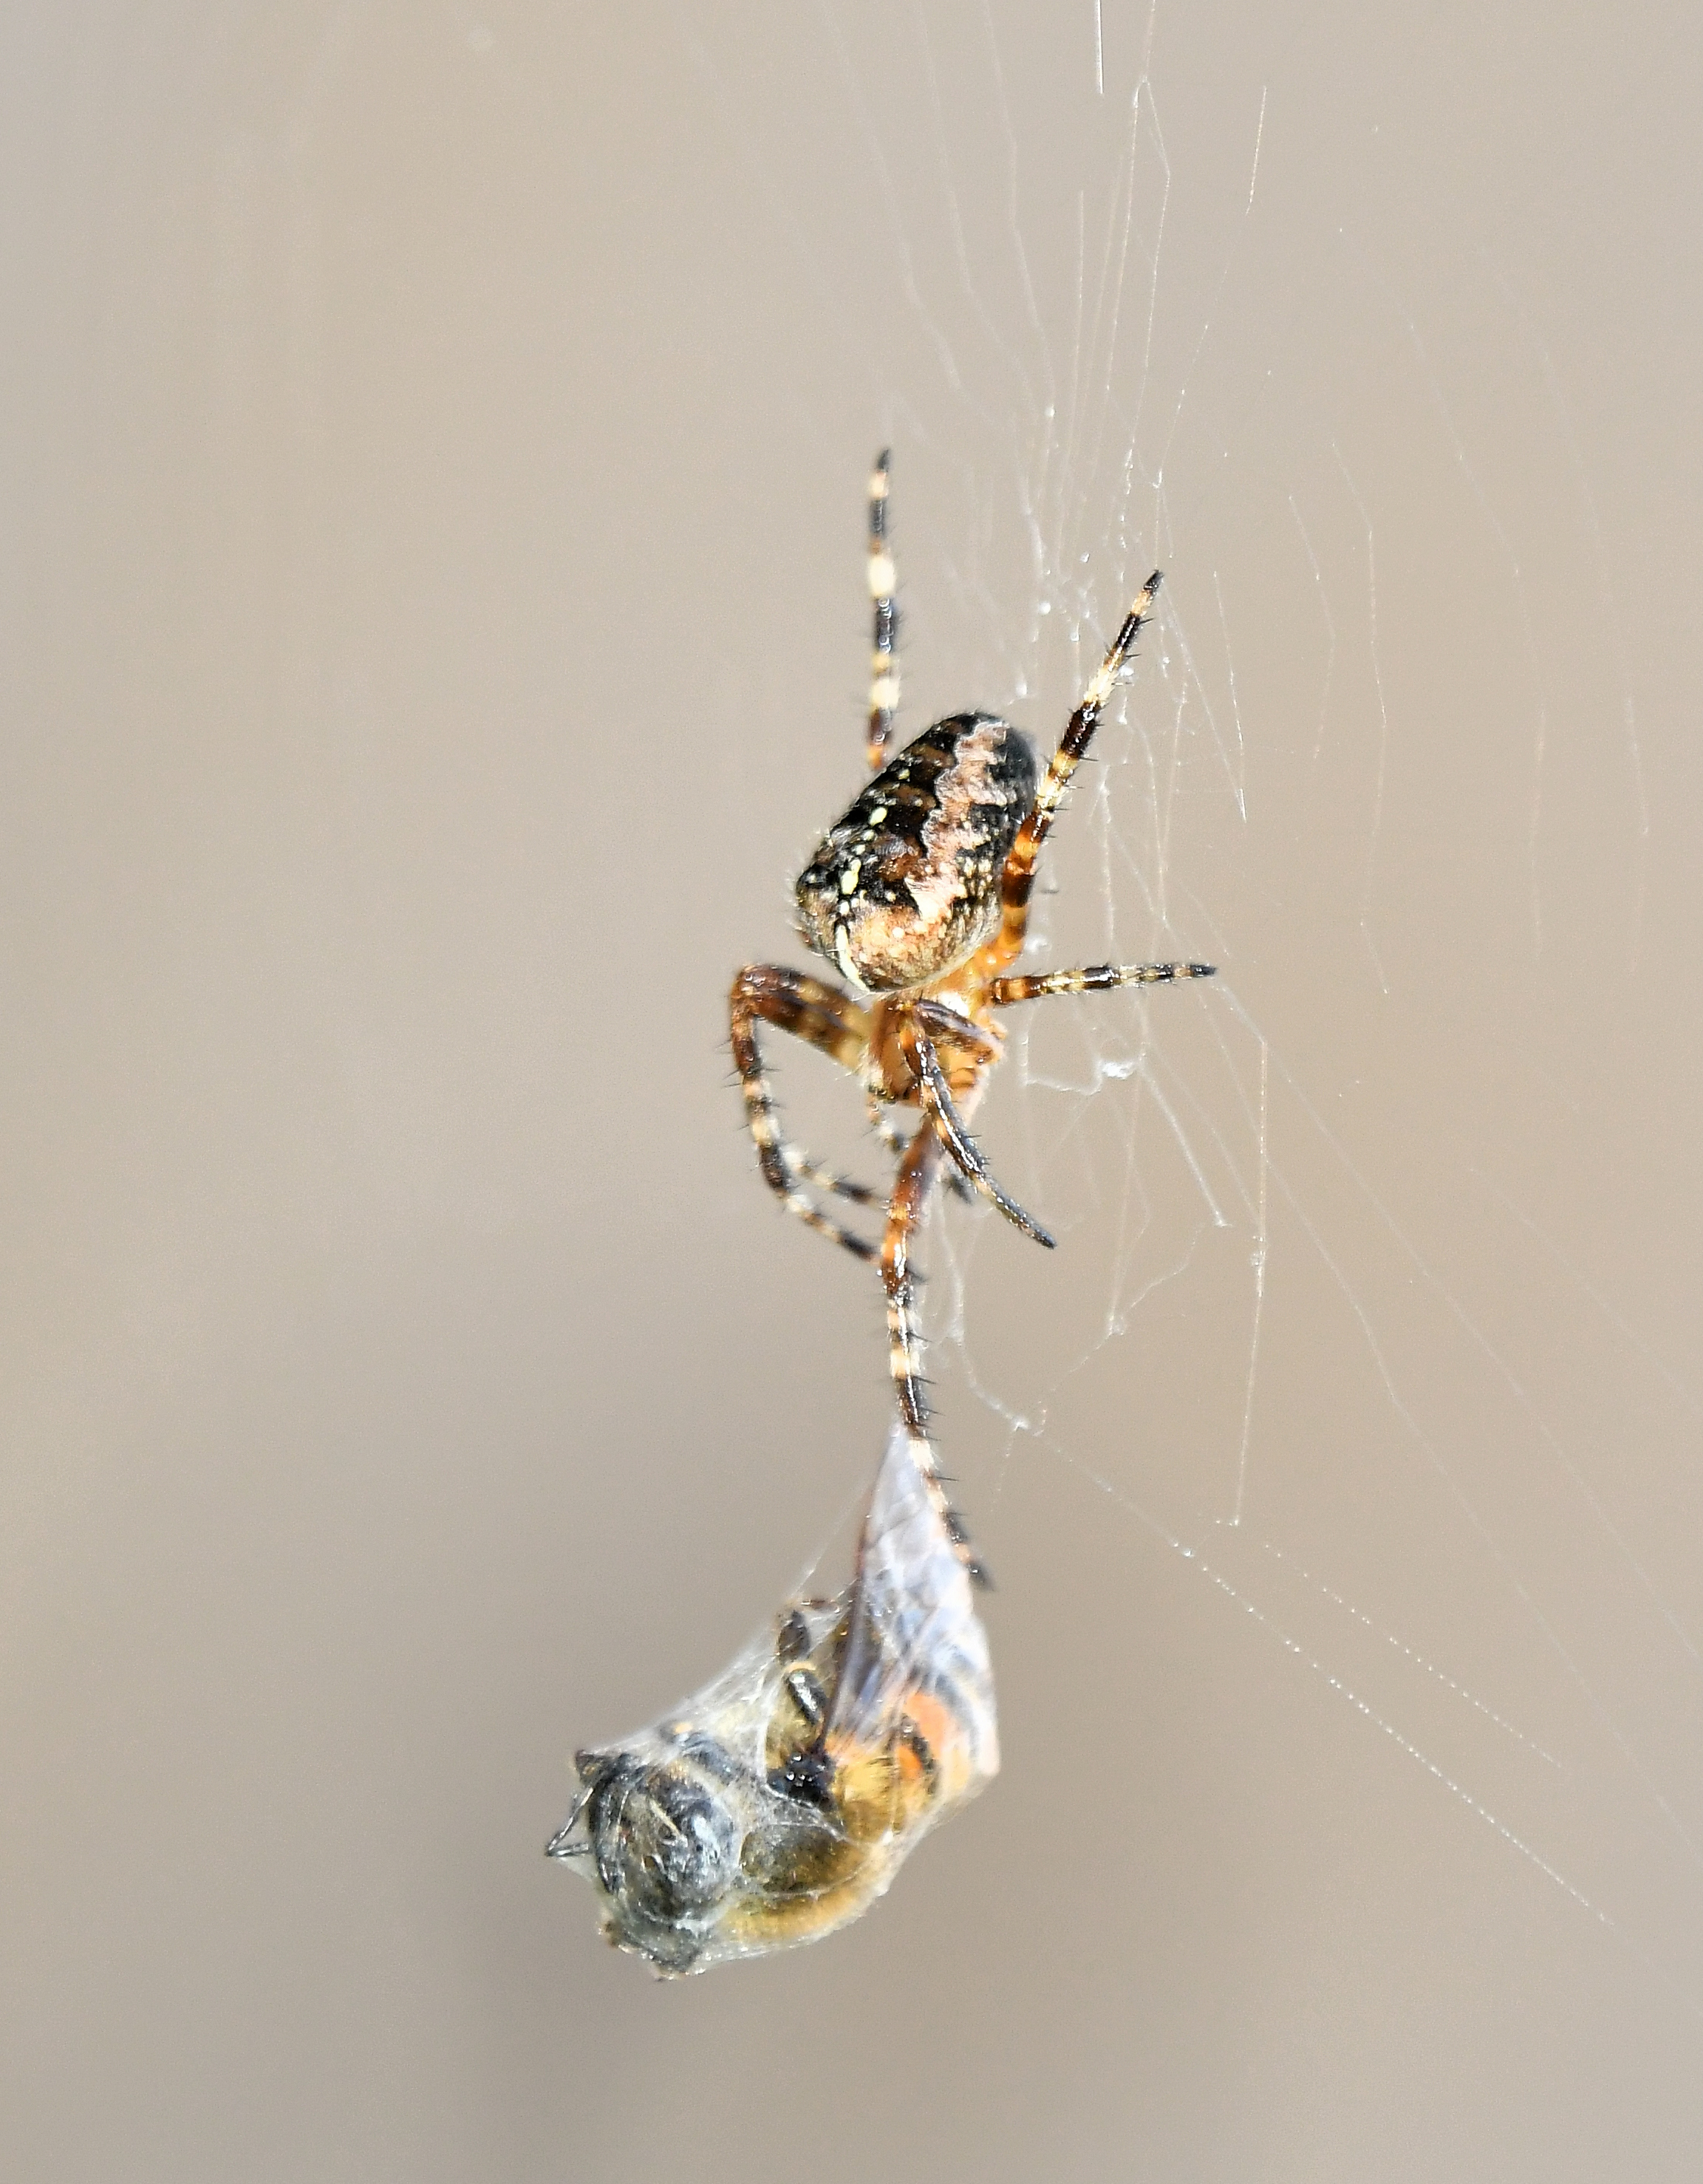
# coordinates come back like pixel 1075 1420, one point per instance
pixel 783 1801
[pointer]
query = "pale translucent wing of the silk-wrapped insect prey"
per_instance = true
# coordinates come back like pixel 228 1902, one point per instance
pixel 916 1650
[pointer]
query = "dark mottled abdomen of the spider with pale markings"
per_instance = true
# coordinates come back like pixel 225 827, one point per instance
pixel 909 881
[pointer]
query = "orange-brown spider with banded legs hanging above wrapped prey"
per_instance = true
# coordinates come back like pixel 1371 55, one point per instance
pixel 920 899
